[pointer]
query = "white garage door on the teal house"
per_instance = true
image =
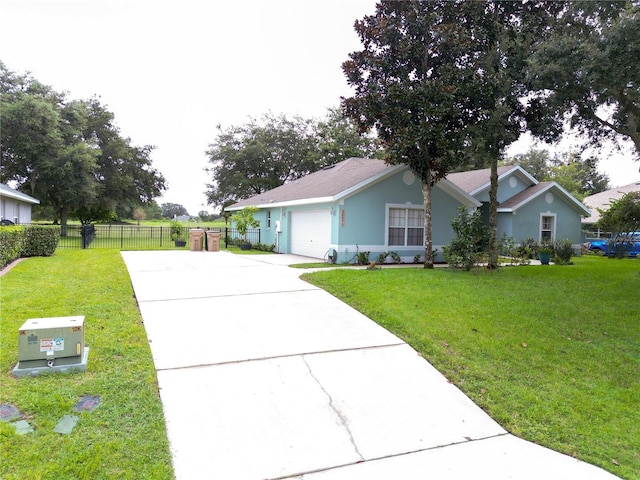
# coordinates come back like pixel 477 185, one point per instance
pixel 311 233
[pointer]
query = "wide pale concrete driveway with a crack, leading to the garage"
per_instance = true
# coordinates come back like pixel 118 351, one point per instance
pixel 263 376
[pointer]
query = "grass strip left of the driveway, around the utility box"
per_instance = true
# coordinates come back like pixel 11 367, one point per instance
pixel 125 436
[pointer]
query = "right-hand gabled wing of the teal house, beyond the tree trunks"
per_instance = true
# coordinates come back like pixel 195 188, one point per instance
pixel 526 208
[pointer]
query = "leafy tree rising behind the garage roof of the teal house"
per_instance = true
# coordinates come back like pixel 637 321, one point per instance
pixel 263 154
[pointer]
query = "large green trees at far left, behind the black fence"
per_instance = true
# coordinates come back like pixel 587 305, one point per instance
pixel 69 154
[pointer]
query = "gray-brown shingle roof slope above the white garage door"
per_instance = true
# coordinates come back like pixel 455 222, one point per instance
pixel 328 182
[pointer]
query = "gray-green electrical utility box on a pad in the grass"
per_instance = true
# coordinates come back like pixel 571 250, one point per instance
pixel 51 343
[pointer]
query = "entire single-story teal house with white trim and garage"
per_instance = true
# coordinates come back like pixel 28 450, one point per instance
pixel 365 205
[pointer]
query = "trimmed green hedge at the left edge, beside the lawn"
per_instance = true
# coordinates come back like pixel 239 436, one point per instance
pixel 27 241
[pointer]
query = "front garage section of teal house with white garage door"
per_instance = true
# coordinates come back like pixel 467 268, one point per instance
pixel 357 205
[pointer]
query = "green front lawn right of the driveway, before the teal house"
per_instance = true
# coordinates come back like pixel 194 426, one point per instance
pixel 551 353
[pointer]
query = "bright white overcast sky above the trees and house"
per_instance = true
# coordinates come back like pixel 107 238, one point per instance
pixel 172 71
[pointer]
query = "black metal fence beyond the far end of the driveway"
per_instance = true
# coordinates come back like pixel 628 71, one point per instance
pixel 133 237
